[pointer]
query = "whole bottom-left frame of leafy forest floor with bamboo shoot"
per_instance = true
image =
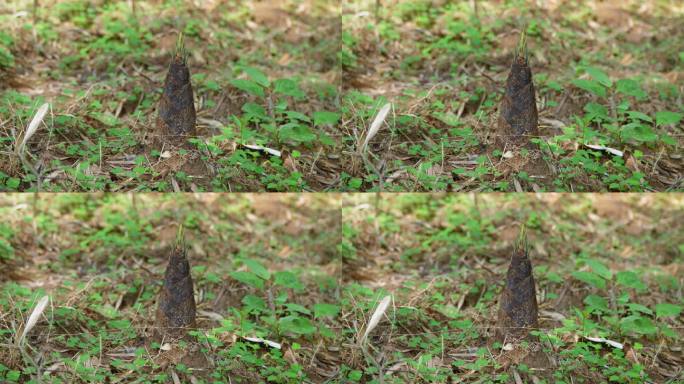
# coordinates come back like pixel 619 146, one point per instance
pixel 110 280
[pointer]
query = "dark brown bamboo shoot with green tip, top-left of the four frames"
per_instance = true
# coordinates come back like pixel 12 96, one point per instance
pixel 177 117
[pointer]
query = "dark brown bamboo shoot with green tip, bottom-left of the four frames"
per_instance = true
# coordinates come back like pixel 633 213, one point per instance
pixel 176 310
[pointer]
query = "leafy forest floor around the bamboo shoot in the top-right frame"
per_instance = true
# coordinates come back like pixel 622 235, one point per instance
pixel 608 81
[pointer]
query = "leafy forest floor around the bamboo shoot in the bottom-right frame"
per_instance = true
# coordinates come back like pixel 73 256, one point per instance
pixel 424 277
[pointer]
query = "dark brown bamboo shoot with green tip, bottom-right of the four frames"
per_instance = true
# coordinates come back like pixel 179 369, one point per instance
pixel 518 303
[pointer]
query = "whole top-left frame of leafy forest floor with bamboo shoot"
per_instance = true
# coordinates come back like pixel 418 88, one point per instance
pixel 259 113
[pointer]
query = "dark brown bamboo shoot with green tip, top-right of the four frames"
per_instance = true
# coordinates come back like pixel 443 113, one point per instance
pixel 518 109
